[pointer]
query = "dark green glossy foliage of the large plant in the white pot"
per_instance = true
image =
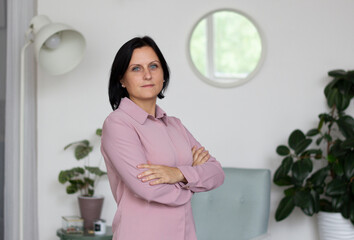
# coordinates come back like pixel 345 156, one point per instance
pixel 328 188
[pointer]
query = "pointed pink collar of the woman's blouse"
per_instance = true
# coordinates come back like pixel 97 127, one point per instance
pixel 137 113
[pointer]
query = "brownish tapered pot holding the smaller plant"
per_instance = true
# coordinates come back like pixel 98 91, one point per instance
pixel 90 209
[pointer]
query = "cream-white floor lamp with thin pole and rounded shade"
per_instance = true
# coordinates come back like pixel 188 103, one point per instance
pixel 58 49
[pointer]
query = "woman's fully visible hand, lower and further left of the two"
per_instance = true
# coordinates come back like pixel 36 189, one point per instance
pixel 159 174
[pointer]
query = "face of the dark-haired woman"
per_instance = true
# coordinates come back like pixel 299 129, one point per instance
pixel 143 78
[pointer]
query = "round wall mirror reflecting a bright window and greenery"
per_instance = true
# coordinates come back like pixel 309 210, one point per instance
pixel 226 48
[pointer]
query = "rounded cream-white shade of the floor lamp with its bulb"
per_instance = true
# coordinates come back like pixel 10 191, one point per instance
pixel 58 47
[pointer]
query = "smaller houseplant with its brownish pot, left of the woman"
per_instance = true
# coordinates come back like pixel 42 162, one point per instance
pixel 83 179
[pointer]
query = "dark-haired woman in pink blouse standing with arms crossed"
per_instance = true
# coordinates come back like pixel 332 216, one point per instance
pixel 154 164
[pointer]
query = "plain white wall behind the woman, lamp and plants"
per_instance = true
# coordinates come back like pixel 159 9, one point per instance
pixel 240 126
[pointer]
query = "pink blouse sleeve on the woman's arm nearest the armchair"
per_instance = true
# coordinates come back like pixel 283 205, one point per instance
pixel 203 177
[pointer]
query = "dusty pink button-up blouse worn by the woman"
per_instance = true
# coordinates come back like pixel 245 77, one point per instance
pixel 162 212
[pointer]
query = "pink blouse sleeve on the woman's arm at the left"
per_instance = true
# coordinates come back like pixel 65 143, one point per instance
pixel 123 151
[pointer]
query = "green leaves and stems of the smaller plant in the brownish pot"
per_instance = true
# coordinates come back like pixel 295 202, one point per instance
pixel 81 179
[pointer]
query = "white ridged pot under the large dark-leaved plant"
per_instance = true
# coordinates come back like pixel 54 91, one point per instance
pixel 332 226
